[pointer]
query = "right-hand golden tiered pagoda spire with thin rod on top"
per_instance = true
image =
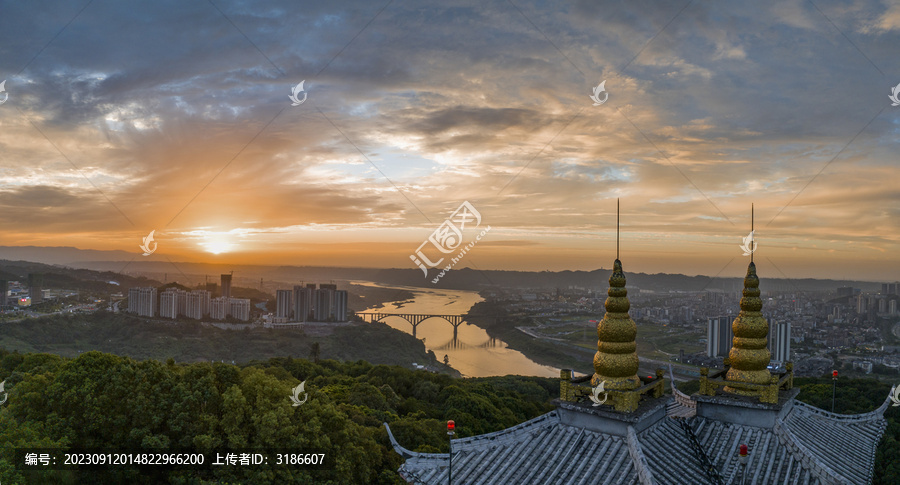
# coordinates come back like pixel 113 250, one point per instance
pixel 749 356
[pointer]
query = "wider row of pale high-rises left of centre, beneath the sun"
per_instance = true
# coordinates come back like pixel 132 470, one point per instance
pixel 174 302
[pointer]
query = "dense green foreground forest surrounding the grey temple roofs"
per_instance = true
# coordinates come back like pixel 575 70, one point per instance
pixel 117 403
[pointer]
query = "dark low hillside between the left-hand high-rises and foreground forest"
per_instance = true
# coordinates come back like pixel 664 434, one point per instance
pixel 186 341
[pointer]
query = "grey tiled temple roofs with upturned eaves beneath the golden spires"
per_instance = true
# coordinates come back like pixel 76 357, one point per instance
pixel 806 446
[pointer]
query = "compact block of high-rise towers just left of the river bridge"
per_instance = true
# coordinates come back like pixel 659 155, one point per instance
pixel 310 304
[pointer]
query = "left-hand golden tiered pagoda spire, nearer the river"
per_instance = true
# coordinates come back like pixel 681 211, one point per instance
pixel 616 362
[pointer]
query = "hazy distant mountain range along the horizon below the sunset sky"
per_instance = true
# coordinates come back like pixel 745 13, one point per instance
pixel 116 262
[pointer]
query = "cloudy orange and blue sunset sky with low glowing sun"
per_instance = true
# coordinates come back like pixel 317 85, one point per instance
pixel 129 117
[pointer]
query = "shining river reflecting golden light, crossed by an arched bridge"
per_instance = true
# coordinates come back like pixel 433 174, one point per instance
pixel 473 353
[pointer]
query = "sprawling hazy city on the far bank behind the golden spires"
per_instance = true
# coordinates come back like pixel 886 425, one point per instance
pixel 810 327
